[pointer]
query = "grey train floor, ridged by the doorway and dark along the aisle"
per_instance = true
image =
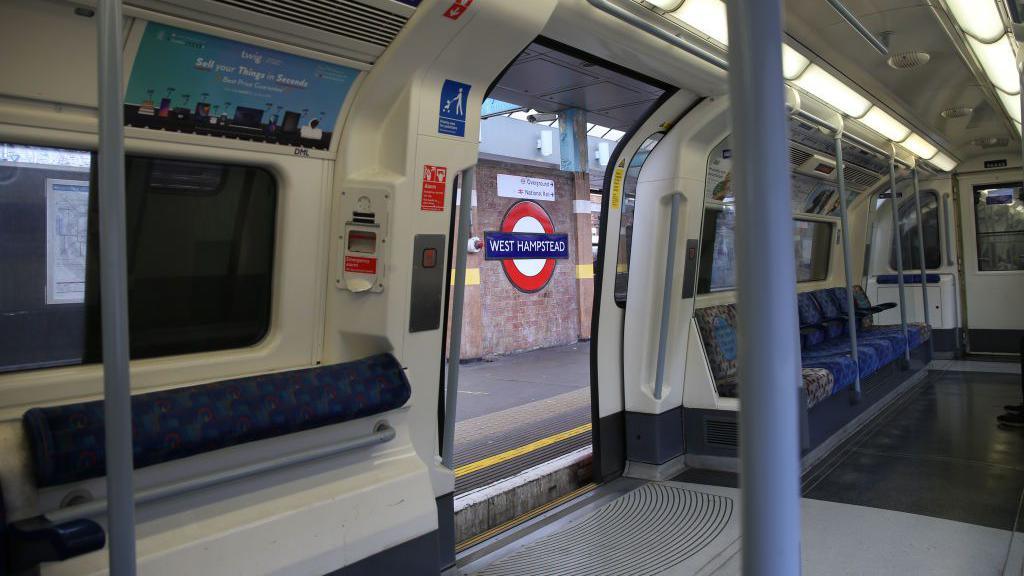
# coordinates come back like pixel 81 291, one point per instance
pixel 932 486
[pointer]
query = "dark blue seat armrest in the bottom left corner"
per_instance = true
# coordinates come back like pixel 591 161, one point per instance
pixel 35 541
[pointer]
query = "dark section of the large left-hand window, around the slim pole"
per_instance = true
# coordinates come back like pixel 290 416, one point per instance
pixel 200 257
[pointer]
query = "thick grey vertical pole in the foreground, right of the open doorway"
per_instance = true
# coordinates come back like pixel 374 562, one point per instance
pixel 769 355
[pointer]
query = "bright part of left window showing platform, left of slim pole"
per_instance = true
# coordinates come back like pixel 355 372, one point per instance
pixel 45 199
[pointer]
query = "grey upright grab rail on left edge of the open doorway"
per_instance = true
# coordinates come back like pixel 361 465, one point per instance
pixel 468 183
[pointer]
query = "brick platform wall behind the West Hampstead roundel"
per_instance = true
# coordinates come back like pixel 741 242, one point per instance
pixel 515 321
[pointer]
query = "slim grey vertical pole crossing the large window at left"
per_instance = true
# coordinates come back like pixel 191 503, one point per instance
pixel 114 295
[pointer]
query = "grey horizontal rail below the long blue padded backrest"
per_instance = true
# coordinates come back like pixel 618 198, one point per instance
pixel 381 435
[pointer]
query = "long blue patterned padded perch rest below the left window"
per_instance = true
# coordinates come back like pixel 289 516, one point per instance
pixel 67 442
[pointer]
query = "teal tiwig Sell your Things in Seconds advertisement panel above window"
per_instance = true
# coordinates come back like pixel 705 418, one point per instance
pixel 186 81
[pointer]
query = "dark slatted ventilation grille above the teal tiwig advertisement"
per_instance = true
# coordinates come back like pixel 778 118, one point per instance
pixel 346 18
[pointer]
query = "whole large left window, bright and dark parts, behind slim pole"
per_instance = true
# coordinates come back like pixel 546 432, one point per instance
pixel 200 255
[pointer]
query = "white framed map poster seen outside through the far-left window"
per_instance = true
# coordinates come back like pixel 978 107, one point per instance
pixel 67 234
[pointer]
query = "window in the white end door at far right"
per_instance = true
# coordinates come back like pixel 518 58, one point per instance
pixel 999 214
